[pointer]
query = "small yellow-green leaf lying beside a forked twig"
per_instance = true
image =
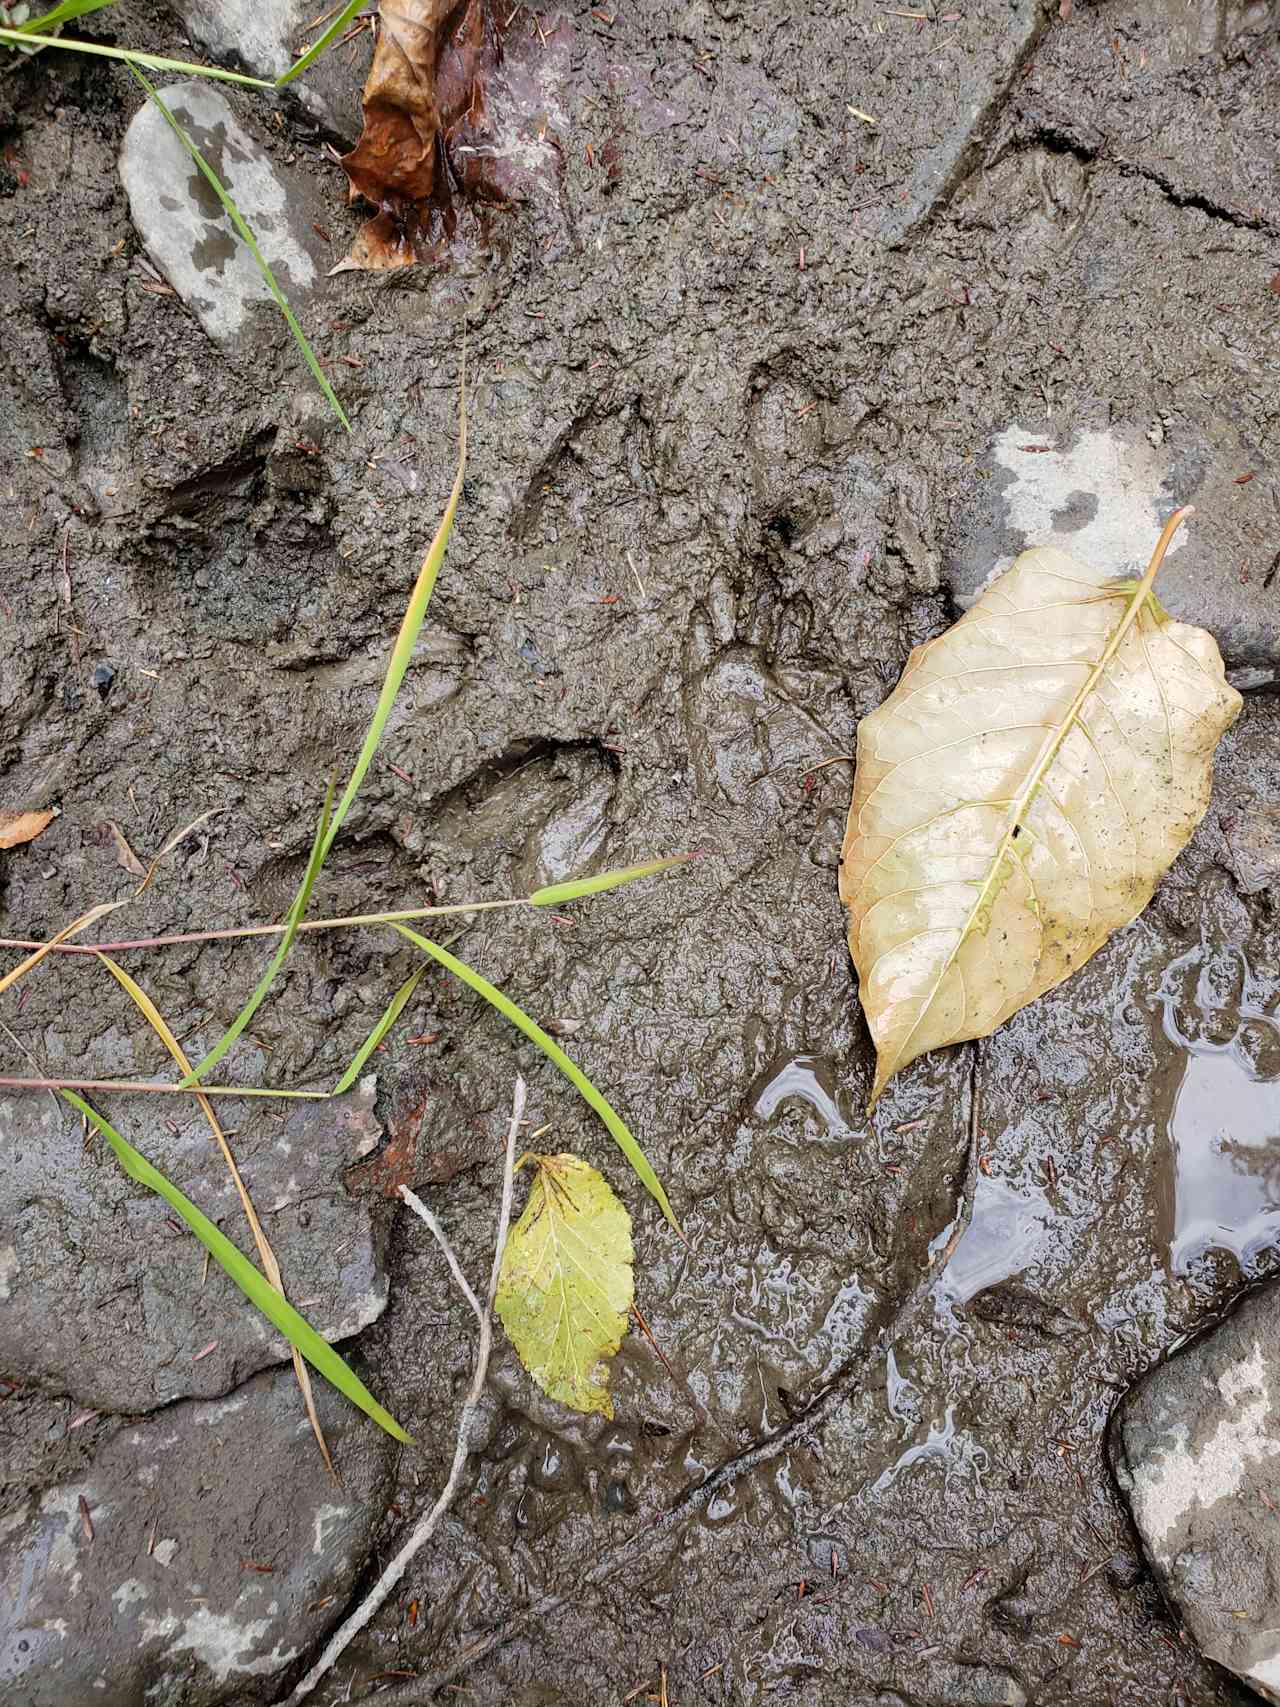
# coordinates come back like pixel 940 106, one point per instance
pixel 567 1283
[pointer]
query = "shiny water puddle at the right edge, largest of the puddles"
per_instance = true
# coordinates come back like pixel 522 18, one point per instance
pixel 1225 1136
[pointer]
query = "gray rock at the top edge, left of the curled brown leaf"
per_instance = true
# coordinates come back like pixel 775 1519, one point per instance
pixel 265 37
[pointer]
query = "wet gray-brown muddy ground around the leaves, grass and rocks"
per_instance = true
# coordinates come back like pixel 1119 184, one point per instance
pixel 731 416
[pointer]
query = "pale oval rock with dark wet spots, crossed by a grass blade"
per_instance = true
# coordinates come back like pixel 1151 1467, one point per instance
pixel 189 233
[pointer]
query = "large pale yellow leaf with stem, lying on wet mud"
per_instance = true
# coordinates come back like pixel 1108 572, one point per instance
pixel 1020 795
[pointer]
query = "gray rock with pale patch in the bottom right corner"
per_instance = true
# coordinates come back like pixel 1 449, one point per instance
pixel 1197 1450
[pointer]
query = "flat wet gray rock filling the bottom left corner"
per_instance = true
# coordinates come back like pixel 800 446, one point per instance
pixel 195 1559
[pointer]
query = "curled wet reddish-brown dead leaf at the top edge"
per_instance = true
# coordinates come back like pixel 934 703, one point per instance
pixel 424 96
